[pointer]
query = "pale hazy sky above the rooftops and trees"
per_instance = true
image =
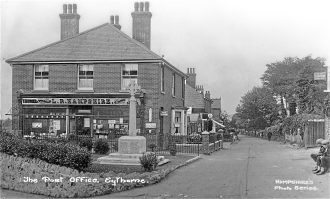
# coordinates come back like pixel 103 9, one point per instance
pixel 228 42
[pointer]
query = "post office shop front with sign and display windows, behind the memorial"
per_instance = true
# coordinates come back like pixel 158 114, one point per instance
pixel 100 116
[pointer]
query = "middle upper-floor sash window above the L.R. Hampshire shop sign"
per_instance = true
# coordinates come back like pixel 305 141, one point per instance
pixel 86 76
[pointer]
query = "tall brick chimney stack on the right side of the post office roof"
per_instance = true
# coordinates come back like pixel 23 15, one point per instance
pixel 142 23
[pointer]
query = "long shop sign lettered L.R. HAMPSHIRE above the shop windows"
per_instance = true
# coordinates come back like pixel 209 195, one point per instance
pixel 76 101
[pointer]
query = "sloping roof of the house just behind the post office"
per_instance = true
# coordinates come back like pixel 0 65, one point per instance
pixel 193 98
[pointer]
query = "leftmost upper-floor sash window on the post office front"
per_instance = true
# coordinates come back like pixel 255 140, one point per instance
pixel 41 79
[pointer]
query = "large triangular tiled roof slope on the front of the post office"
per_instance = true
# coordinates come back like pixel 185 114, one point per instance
pixel 103 43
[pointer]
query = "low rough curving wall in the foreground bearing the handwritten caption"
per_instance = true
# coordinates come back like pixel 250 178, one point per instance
pixel 33 176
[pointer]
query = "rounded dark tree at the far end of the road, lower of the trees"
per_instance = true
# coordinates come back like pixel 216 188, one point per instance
pixel 258 109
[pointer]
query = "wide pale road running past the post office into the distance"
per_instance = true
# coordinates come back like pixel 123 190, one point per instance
pixel 251 168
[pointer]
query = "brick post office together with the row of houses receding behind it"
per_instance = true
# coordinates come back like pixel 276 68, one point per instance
pixel 79 83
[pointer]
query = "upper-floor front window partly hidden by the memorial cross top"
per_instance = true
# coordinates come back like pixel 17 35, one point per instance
pixel 129 75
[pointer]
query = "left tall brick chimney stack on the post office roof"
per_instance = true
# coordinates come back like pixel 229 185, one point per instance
pixel 69 21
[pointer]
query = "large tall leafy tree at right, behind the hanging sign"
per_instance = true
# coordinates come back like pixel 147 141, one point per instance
pixel 291 80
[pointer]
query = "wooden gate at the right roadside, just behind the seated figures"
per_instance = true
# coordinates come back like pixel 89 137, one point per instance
pixel 314 129
